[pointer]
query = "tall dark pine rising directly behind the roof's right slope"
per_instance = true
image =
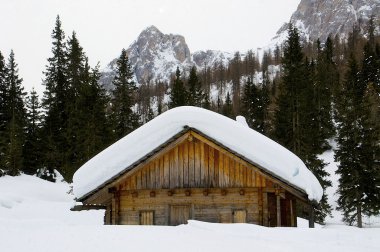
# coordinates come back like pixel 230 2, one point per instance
pixel 296 115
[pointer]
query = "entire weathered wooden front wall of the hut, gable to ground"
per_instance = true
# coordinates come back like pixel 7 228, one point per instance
pixel 196 179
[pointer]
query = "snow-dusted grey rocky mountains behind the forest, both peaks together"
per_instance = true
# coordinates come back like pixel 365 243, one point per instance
pixel 155 56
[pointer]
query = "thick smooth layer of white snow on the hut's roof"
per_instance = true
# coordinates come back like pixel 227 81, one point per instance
pixel 253 146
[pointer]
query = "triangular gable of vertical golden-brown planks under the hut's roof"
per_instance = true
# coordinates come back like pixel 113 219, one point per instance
pixel 193 164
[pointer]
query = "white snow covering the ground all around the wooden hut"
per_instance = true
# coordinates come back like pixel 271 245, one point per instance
pixel 35 216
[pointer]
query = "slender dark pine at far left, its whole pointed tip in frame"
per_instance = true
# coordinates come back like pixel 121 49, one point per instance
pixel 16 118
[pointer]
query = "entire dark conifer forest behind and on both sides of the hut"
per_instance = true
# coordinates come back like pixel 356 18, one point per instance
pixel 325 94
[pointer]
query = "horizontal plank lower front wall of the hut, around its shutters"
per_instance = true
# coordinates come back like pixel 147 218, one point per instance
pixel 213 207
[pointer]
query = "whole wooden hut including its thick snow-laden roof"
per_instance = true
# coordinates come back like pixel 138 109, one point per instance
pixel 198 167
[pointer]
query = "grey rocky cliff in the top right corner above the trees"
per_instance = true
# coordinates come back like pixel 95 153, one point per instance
pixel 319 18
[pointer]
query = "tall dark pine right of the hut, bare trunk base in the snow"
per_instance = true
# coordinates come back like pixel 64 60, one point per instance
pixel 351 185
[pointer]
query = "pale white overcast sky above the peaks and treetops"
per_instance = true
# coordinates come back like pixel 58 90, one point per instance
pixel 104 27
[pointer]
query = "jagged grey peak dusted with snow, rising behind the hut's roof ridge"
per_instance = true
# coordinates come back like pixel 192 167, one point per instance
pixel 155 56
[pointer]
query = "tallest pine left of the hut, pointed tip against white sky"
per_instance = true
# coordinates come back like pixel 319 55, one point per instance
pixel 55 102
